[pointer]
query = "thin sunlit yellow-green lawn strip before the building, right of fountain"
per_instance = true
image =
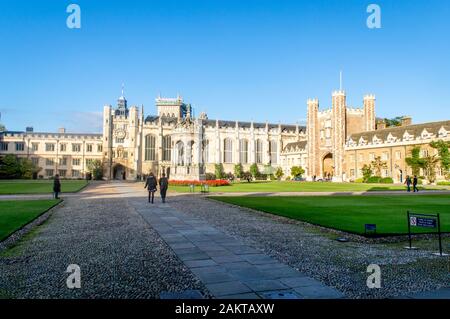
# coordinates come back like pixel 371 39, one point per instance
pixel 284 186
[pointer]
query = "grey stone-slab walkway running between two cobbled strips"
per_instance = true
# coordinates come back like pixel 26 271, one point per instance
pixel 228 267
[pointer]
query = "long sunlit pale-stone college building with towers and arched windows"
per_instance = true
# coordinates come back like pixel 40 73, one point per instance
pixel 335 144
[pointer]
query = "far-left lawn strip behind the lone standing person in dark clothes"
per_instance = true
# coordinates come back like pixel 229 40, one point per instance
pixel 38 186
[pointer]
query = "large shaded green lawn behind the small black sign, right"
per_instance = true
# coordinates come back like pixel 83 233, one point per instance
pixel 350 213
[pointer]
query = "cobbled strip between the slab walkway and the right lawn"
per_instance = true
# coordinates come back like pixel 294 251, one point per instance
pixel 316 253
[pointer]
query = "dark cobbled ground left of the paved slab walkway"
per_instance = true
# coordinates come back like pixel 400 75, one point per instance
pixel 119 254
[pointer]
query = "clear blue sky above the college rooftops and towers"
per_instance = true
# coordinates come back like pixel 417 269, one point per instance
pixel 235 59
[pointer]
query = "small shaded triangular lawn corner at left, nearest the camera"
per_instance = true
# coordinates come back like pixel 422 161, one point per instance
pixel 15 214
